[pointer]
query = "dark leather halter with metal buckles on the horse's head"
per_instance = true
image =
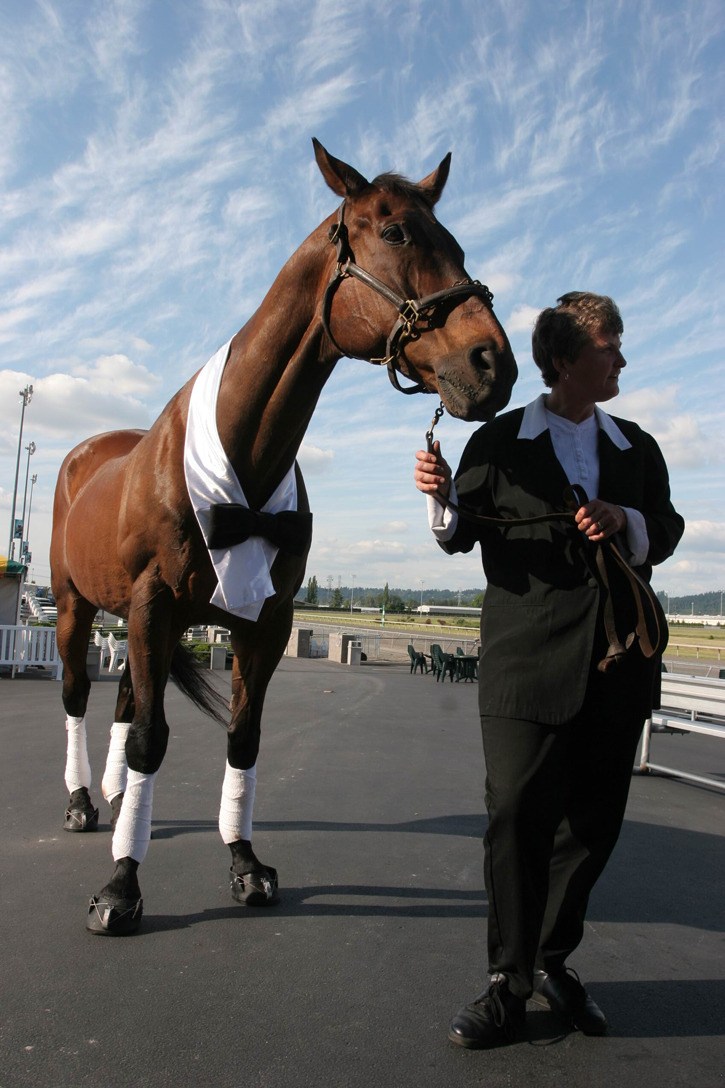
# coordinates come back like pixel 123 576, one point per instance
pixel 415 315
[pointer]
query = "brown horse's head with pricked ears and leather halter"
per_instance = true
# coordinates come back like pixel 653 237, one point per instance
pixel 392 255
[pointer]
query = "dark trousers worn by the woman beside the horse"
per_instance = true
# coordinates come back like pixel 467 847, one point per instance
pixel 556 798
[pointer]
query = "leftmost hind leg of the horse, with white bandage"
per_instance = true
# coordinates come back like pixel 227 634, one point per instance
pixel 76 619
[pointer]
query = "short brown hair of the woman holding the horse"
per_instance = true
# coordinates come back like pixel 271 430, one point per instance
pixel 562 331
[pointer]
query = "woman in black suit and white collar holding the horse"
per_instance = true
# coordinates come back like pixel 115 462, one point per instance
pixel 560 727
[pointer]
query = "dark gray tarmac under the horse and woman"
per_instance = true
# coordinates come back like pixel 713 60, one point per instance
pixel 370 803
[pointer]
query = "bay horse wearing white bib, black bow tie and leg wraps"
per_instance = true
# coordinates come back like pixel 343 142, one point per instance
pixel 380 280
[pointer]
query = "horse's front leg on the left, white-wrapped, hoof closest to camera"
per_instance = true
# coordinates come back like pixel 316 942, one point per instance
pixel 117 911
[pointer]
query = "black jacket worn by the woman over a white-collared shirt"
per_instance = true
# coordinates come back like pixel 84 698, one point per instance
pixel 542 621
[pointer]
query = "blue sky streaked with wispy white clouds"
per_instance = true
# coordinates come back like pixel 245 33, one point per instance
pixel 156 171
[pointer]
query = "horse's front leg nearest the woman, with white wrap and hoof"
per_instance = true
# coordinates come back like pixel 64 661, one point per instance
pixel 256 657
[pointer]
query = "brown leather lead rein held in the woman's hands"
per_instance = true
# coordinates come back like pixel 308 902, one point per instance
pixel 650 630
